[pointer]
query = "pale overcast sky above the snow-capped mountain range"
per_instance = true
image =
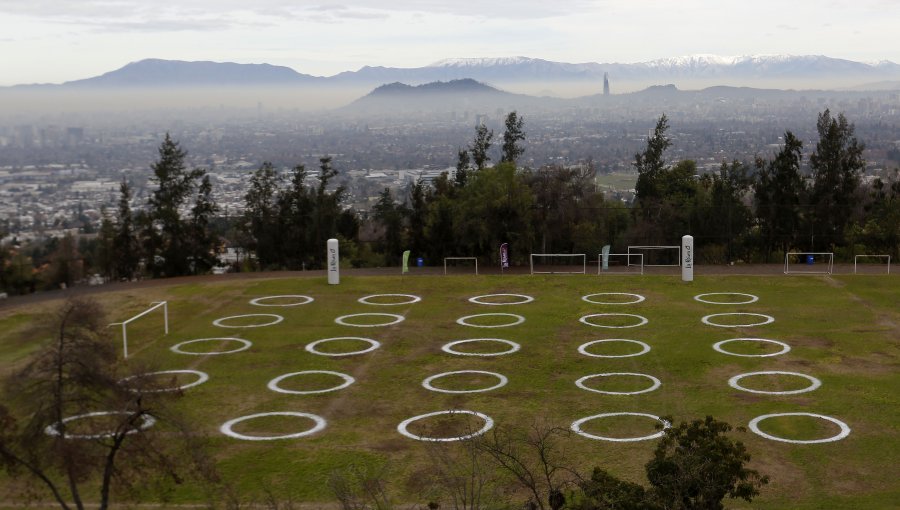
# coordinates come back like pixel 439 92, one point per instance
pixel 51 41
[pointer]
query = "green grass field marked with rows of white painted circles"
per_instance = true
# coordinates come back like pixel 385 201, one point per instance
pixel 842 330
